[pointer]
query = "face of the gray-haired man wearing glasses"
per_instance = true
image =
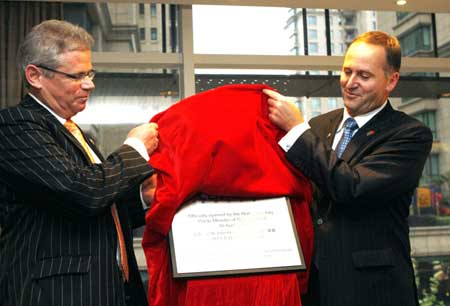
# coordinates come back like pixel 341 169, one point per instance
pixel 66 96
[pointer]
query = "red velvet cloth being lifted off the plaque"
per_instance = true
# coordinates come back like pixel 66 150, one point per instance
pixel 220 142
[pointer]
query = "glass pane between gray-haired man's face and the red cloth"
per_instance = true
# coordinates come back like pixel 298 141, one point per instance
pixel 124 101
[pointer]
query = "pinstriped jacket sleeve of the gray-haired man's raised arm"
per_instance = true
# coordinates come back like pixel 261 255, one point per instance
pixel 43 165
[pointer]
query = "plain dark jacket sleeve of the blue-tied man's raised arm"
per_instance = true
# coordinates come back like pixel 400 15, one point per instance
pixel 390 166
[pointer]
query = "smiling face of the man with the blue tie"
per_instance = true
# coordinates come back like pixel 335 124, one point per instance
pixel 365 85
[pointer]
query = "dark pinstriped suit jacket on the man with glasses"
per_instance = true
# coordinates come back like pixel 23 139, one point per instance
pixel 58 240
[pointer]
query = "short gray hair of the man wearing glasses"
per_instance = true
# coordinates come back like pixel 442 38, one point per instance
pixel 44 44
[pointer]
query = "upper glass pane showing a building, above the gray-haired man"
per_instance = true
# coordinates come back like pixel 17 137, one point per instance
pixel 122 27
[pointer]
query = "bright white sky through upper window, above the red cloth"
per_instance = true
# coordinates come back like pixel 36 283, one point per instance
pixel 241 30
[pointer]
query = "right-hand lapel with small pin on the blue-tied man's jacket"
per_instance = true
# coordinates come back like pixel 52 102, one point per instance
pixel 369 132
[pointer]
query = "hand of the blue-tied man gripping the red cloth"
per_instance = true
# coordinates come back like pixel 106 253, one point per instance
pixel 282 112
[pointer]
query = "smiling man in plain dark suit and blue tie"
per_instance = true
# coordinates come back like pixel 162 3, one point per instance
pixel 362 249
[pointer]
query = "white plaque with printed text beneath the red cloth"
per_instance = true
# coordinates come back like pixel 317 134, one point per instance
pixel 221 237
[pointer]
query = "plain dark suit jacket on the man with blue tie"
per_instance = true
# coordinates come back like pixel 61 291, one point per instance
pixel 362 247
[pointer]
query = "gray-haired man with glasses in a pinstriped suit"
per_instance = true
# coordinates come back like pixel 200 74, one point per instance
pixel 64 208
